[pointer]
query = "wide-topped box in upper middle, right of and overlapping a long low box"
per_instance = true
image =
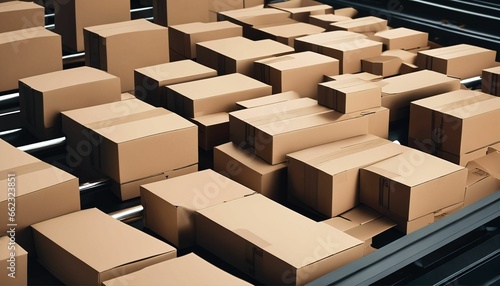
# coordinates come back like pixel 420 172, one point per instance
pixel 237 54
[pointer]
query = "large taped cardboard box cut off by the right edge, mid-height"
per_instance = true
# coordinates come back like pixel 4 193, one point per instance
pixel 456 122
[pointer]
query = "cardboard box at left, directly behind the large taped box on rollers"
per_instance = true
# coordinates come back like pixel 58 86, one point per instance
pixel 43 97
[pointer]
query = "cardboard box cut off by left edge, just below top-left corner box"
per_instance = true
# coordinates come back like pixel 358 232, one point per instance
pixel 28 52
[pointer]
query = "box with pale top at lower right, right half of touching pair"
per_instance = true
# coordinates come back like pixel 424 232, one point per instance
pixel 412 184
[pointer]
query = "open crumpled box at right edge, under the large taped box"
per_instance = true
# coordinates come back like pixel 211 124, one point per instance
pixel 483 178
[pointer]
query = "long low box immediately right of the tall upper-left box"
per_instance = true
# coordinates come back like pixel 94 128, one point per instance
pixel 183 38
